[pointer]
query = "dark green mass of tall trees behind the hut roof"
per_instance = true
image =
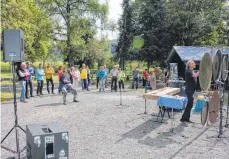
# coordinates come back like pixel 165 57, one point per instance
pixel 165 23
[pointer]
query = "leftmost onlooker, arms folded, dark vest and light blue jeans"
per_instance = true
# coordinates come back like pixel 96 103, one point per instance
pixel 22 73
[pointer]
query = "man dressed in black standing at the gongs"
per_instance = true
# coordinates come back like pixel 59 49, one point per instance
pixel 190 80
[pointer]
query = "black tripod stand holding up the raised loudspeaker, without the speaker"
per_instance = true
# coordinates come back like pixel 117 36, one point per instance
pixel 16 126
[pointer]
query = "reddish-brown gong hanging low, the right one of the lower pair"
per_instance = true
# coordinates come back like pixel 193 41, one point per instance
pixel 214 104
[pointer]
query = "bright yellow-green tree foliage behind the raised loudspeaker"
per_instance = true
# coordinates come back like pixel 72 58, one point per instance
pixel 37 28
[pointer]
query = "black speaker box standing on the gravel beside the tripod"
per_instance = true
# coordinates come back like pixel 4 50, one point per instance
pixel 48 141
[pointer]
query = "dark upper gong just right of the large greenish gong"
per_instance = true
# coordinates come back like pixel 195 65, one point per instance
pixel 216 67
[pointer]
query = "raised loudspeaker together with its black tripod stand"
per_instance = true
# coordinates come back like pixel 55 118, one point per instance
pixel 13 51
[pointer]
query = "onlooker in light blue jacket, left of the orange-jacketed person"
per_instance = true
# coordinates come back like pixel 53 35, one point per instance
pixel 40 73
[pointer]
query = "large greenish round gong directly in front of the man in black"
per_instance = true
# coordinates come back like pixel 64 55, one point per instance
pixel 205 72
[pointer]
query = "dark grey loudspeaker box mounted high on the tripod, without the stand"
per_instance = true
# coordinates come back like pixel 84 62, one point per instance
pixel 13 45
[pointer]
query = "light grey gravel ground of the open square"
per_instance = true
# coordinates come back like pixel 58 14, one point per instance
pixel 100 128
